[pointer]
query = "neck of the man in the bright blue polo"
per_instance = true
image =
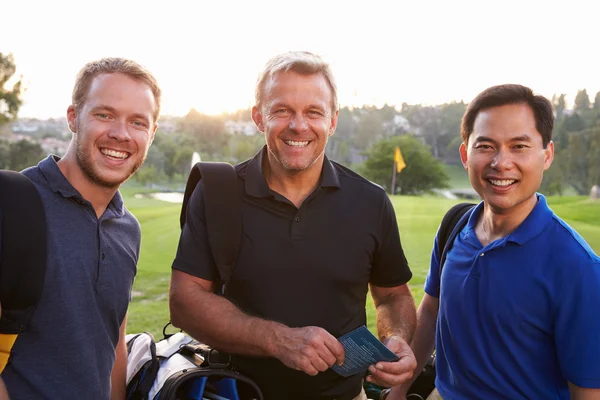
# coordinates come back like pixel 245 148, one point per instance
pixel 495 224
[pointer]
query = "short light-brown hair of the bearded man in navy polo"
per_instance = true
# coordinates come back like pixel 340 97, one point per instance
pixel 113 65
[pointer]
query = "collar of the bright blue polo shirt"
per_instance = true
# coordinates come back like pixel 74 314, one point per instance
pixel 532 226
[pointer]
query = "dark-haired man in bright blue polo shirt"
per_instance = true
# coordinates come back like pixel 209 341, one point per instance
pixel 519 292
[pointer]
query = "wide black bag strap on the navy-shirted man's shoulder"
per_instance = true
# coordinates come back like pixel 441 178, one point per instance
pixel 23 250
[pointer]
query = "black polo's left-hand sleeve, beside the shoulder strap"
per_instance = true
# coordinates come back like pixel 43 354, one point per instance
pixel 193 252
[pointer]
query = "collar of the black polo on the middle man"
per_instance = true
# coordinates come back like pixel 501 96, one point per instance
pixel 257 186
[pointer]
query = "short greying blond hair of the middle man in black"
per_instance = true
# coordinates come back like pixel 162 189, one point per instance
pixel 301 62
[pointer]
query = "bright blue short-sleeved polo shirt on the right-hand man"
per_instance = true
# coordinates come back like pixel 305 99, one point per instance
pixel 518 318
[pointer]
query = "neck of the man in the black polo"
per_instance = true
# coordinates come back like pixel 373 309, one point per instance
pixel 296 186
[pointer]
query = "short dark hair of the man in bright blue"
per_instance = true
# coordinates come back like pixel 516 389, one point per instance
pixel 501 95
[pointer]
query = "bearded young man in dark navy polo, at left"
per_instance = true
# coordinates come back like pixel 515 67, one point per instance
pixel 74 346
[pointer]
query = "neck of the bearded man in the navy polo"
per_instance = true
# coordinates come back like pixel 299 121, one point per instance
pixel 97 195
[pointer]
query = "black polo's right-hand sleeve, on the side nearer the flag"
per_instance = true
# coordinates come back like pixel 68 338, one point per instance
pixel 390 267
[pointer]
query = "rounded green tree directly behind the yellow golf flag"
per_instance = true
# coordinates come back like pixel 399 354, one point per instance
pixel 423 172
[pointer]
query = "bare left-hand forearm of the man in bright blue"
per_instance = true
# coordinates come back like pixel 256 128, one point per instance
pixel 423 342
